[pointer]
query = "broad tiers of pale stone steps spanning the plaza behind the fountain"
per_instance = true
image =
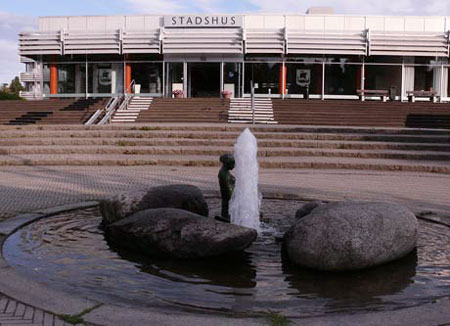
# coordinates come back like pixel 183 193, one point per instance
pixel 280 147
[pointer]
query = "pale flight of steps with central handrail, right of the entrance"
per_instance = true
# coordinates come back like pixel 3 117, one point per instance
pixel 241 111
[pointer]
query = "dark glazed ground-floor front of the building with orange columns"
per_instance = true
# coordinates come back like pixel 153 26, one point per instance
pixel 319 76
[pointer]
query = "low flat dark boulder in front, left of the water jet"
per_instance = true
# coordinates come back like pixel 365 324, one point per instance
pixel 169 232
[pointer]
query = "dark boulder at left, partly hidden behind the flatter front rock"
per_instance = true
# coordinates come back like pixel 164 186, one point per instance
pixel 185 197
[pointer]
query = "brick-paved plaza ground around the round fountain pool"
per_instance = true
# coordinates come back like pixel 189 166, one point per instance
pixel 25 189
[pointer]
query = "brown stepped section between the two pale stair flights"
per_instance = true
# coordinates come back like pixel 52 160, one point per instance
pixel 211 110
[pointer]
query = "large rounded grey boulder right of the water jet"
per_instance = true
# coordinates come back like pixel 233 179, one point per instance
pixel 351 235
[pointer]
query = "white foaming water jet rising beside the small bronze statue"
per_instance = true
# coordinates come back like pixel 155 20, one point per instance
pixel 246 199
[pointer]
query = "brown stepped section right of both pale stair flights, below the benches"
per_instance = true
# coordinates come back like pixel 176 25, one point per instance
pixel 357 113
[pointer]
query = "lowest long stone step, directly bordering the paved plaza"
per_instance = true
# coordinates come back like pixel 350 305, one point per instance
pixel 200 160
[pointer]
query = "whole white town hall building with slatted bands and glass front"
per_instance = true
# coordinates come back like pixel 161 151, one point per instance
pixel 332 55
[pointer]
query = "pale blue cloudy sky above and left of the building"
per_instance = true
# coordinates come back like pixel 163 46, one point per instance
pixel 22 15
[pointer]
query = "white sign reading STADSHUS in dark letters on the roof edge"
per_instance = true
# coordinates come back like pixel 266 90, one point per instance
pixel 202 21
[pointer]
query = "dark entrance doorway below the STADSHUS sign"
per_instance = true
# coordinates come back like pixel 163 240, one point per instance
pixel 204 79
